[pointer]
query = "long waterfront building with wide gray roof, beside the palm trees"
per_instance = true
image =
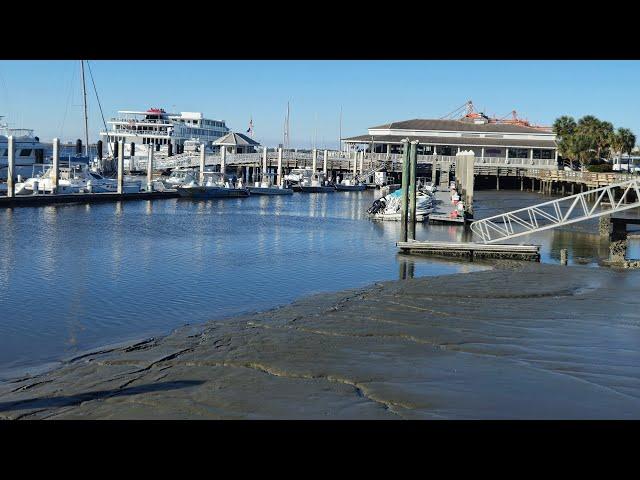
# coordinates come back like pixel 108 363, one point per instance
pixel 488 139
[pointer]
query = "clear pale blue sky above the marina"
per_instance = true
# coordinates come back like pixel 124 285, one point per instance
pixel 46 95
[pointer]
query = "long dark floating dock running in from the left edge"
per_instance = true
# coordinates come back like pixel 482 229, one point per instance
pixel 49 199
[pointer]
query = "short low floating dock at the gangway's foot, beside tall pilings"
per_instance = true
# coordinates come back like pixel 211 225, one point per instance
pixel 472 250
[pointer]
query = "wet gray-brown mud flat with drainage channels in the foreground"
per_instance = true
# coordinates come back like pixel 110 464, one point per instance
pixel 522 340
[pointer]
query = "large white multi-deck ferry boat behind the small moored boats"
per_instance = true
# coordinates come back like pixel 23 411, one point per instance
pixel 165 132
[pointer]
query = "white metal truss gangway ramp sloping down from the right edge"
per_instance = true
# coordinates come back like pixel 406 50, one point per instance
pixel 555 213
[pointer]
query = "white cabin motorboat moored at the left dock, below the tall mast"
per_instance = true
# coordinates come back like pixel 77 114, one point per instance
pixel 74 179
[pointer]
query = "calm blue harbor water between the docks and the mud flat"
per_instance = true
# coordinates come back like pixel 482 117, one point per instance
pixel 76 277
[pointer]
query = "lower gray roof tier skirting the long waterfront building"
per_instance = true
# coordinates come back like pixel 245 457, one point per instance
pixel 471 142
